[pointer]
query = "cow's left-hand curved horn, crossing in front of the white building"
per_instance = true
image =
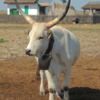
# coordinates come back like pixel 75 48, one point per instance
pixel 28 18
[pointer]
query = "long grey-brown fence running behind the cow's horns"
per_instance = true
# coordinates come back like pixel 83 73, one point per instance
pixel 84 19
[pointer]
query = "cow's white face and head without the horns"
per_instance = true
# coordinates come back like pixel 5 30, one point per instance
pixel 38 40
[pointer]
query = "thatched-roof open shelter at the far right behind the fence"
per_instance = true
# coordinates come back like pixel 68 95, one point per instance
pixel 92 6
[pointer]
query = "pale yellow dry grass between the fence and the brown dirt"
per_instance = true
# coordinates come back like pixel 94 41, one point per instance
pixel 89 37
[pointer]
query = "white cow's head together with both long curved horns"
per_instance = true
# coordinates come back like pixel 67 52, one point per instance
pixel 40 33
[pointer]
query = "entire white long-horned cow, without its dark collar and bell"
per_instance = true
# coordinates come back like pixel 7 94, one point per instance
pixel 64 53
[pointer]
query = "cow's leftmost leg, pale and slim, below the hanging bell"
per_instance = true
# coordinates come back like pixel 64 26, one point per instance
pixel 42 87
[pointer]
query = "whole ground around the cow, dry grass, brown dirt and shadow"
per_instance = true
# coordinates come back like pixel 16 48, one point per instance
pixel 17 70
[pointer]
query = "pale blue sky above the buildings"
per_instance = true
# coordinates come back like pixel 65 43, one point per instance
pixel 76 3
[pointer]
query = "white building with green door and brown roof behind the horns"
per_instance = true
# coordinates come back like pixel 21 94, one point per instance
pixel 33 7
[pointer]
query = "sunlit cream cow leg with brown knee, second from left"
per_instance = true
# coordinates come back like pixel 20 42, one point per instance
pixel 51 85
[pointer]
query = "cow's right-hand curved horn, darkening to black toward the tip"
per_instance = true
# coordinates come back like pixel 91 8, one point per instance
pixel 59 18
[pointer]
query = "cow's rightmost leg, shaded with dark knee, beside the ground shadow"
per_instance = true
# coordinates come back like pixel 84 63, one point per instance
pixel 65 84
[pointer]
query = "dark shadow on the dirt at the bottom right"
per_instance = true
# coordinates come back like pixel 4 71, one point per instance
pixel 84 93
